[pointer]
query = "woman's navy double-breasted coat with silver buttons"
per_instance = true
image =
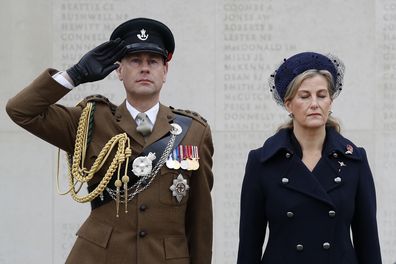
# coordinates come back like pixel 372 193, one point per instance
pixel 311 216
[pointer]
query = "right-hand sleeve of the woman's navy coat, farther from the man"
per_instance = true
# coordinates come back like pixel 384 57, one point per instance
pixel 364 223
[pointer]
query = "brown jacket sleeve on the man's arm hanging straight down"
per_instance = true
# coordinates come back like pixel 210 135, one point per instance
pixel 199 216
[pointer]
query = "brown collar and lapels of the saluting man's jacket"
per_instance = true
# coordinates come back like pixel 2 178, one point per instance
pixel 161 127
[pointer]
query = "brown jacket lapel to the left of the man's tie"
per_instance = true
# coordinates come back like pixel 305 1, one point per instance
pixel 127 124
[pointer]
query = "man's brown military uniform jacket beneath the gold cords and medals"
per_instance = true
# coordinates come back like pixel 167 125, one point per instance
pixel 157 228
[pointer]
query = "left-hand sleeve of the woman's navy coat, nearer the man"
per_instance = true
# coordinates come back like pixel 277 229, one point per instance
pixel 253 219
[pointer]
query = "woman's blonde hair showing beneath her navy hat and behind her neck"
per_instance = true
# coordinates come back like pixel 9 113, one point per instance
pixel 292 89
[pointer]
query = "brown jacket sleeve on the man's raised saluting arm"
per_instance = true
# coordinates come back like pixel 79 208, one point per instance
pixel 34 109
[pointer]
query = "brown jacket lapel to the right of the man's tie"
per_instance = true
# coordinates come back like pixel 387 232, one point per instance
pixel 162 125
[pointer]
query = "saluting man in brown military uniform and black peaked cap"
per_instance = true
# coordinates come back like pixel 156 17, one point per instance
pixel 148 166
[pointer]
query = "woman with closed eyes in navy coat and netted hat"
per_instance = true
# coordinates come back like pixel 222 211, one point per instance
pixel 311 186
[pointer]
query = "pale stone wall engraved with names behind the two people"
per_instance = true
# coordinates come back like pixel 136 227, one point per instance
pixel 225 51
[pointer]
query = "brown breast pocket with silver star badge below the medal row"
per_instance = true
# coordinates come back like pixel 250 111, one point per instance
pixel 174 187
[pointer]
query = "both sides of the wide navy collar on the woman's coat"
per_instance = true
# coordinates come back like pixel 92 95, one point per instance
pixel 334 143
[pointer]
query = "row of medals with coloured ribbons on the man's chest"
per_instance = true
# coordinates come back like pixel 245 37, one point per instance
pixel 185 157
